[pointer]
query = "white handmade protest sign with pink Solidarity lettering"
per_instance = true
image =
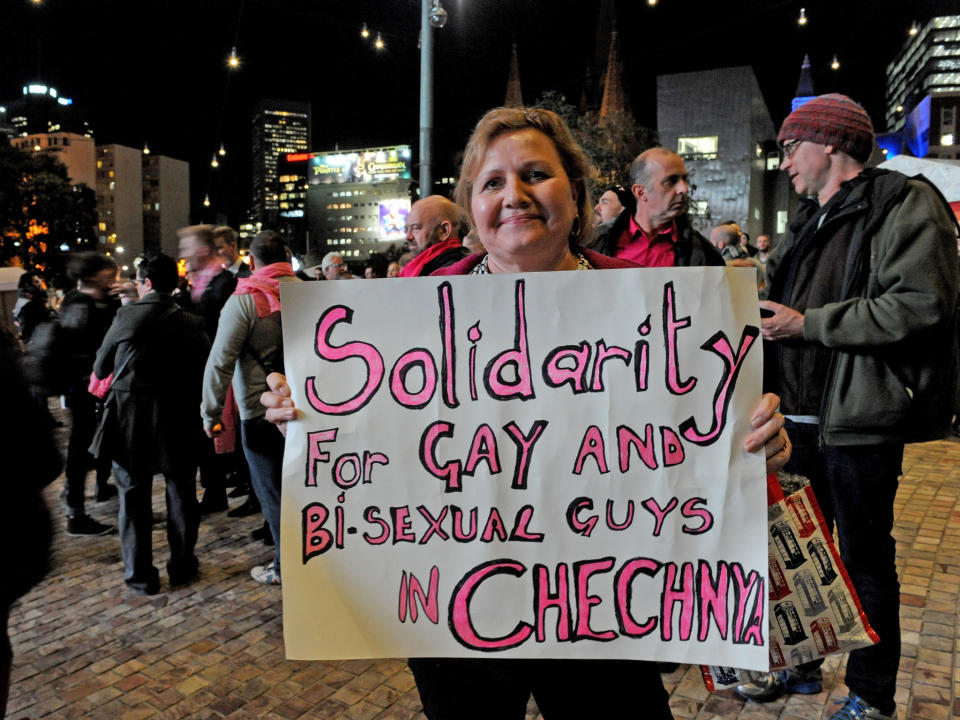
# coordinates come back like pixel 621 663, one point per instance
pixel 535 465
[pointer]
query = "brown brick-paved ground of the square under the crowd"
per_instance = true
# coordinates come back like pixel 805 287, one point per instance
pixel 85 648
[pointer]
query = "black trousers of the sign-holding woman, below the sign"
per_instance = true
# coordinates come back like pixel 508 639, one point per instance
pixel 482 688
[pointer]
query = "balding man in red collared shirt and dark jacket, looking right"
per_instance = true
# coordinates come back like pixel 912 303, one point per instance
pixel 659 233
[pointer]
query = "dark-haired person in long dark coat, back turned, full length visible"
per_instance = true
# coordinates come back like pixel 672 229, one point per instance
pixel 153 356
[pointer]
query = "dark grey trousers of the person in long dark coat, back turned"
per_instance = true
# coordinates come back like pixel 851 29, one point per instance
pixel 135 522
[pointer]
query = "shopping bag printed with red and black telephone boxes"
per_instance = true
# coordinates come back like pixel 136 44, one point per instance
pixel 814 610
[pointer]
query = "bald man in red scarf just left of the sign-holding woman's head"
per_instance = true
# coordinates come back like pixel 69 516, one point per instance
pixel 435 227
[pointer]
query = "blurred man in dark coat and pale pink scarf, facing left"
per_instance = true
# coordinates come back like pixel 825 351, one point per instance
pixel 211 286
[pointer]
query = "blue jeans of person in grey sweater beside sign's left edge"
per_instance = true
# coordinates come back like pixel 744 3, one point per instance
pixel 263 447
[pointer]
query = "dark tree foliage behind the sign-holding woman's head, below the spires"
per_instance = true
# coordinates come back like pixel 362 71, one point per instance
pixel 611 143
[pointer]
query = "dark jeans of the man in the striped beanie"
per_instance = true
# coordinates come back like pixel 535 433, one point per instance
pixel 855 486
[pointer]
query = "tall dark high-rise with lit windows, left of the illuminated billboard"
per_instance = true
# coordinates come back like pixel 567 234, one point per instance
pixel 280 127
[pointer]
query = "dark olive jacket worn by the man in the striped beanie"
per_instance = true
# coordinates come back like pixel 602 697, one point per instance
pixel 889 335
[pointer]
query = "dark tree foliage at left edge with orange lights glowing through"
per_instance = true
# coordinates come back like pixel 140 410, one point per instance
pixel 40 210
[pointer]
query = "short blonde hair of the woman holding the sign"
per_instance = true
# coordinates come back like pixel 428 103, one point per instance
pixel 503 120
